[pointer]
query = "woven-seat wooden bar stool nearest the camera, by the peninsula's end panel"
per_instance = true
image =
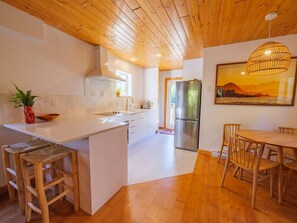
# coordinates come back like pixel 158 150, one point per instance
pixel 52 154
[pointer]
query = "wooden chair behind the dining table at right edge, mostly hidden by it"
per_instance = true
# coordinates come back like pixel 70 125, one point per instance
pixel 288 153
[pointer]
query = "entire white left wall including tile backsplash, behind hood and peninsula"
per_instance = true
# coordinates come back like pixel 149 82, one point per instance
pixel 52 64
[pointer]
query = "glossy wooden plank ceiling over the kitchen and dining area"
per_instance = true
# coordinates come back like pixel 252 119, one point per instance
pixel 162 33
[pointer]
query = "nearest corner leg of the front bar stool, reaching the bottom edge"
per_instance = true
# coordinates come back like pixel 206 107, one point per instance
pixel 41 192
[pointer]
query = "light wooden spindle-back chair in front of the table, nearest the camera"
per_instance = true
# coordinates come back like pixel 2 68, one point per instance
pixel 247 155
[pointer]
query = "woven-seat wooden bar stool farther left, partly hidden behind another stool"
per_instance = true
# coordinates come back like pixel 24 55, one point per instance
pixel 14 175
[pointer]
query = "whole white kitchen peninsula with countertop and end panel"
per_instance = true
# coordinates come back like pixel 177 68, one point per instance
pixel 102 153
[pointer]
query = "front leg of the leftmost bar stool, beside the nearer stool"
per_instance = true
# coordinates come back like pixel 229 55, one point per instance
pixel 19 181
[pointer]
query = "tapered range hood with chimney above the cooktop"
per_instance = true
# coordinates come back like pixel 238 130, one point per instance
pixel 101 66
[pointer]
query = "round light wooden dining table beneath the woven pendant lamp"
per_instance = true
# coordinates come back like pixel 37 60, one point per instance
pixel 274 138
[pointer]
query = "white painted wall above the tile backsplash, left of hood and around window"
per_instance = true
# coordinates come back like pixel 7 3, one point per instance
pixel 54 65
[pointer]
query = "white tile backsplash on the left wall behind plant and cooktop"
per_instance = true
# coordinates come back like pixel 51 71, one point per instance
pixel 99 97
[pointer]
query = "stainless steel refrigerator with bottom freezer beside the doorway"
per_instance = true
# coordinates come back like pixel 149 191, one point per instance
pixel 187 114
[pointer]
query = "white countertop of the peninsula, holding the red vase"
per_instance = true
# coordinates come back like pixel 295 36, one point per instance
pixel 64 130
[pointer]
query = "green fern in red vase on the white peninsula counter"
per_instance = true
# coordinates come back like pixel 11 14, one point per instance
pixel 26 100
